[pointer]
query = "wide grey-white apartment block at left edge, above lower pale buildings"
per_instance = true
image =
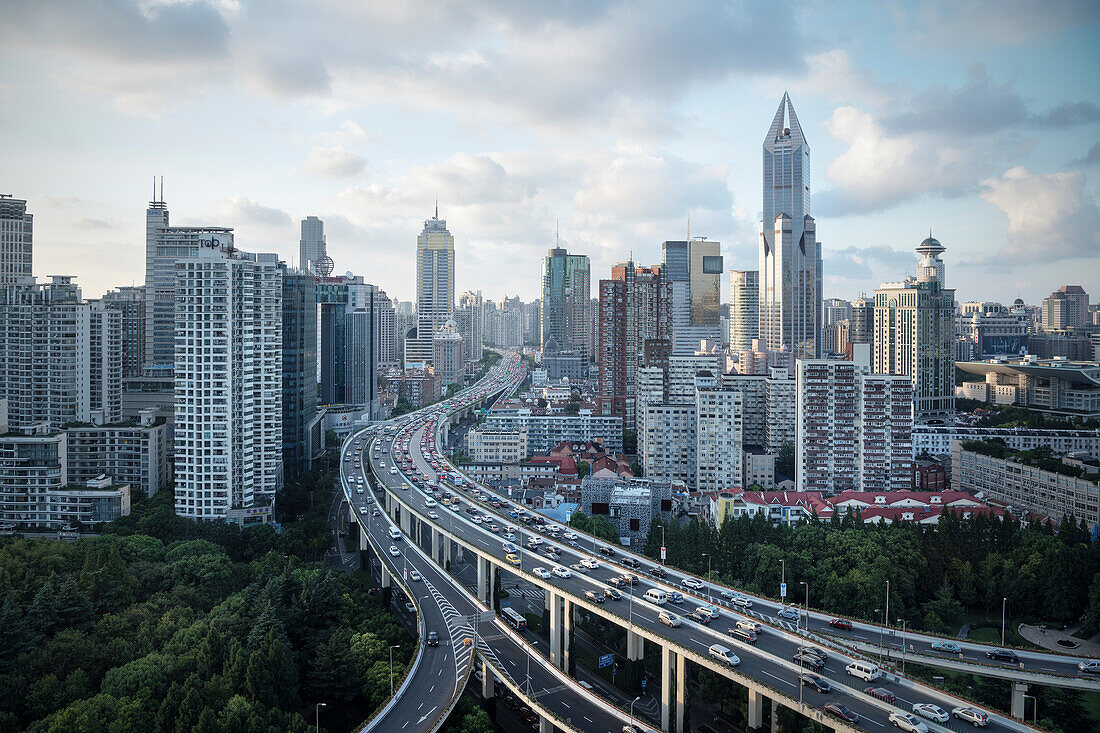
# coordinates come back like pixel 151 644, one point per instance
pixel 60 357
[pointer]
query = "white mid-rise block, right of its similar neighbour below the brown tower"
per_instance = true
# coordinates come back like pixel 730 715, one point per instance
pixel 719 437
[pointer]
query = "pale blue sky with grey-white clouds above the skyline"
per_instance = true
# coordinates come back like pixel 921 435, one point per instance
pixel 615 125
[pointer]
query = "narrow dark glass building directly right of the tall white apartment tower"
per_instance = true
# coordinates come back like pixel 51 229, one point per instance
pixel 300 368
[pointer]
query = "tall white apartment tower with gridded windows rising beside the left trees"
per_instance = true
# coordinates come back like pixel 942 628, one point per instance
pixel 229 385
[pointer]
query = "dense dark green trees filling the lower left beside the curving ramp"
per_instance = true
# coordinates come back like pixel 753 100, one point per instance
pixel 166 625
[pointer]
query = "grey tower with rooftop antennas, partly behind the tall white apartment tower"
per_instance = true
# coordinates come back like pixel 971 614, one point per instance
pixel 164 247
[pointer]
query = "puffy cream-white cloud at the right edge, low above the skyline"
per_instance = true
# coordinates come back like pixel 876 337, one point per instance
pixel 1051 218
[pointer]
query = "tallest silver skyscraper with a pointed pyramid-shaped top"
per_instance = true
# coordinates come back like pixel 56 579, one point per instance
pixel 790 255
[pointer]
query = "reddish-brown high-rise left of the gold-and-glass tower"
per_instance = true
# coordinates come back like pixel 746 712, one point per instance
pixel 635 308
